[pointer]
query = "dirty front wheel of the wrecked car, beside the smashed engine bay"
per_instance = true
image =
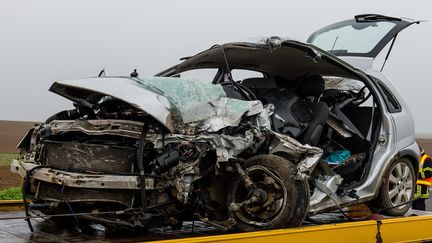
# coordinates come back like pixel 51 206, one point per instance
pixel 290 203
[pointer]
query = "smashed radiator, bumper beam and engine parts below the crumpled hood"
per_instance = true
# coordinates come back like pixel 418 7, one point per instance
pixel 104 177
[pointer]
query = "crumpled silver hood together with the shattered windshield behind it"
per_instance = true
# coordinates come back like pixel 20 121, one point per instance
pixel 174 102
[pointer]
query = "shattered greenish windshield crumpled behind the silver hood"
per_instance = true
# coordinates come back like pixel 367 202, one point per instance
pixel 195 100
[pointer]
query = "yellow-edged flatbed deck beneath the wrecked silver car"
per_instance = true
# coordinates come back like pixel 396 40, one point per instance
pixel 333 227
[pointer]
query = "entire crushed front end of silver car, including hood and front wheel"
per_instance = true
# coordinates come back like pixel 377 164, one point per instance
pixel 223 166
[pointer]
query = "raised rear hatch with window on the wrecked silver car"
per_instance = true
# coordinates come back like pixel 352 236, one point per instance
pixel 364 36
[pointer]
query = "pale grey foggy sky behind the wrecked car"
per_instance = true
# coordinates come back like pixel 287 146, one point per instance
pixel 44 41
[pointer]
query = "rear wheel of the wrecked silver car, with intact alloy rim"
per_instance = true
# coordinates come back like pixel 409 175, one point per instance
pixel 397 189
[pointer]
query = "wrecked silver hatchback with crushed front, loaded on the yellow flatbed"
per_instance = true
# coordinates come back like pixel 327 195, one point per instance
pixel 303 133
